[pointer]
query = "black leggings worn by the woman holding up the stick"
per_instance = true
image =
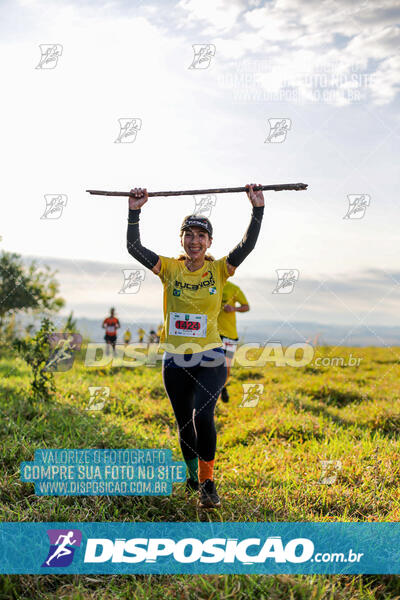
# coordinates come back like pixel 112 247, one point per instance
pixel 193 392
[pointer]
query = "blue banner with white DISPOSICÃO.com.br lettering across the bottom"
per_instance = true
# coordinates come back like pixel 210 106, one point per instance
pixel 214 548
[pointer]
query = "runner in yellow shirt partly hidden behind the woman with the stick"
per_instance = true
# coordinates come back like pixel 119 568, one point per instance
pixel 231 296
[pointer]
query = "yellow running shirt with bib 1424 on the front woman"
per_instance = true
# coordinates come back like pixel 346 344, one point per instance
pixel 192 301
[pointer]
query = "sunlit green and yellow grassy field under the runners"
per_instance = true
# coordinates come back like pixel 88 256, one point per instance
pixel 268 465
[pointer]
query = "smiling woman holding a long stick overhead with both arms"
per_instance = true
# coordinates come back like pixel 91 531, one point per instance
pixel 194 368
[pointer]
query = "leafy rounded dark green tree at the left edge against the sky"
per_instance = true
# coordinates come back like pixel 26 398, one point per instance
pixel 26 288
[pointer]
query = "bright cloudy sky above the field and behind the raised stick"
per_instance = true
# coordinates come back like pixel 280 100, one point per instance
pixel 328 71
